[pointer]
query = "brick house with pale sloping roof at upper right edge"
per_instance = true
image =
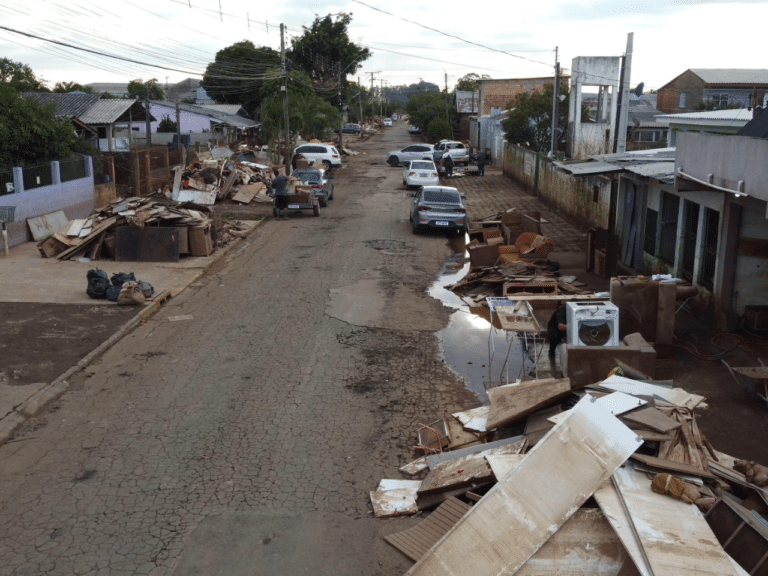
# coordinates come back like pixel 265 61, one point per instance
pixel 717 87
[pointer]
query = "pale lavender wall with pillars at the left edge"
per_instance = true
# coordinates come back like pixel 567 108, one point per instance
pixel 75 198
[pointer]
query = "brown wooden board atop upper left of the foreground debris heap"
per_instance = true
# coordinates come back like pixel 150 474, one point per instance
pixel 514 401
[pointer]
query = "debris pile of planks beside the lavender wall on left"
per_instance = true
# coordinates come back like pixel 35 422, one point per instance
pixel 150 228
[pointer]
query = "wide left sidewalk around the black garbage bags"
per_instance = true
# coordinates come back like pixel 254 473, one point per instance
pixel 51 328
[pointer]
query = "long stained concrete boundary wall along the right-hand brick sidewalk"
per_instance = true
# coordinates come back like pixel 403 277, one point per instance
pixel 573 197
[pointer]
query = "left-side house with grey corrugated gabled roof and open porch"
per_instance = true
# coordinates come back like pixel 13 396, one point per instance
pixel 101 118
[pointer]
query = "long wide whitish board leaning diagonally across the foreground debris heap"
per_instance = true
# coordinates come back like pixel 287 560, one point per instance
pixel 521 512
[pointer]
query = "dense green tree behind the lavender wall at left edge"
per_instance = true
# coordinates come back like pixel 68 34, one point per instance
pixel 30 131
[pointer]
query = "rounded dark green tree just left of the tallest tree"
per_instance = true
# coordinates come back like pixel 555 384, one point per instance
pixel 238 74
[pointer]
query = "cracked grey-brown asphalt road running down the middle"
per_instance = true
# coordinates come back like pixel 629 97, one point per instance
pixel 247 440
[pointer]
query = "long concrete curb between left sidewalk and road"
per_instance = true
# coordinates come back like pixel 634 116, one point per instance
pixel 56 389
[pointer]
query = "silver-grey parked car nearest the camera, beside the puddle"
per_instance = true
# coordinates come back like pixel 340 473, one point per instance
pixel 439 207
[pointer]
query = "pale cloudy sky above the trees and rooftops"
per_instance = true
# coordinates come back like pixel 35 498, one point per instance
pixel 411 40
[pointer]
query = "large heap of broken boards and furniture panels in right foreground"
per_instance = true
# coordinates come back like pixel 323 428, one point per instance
pixel 610 478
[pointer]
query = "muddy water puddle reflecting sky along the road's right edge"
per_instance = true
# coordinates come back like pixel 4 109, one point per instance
pixel 469 346
